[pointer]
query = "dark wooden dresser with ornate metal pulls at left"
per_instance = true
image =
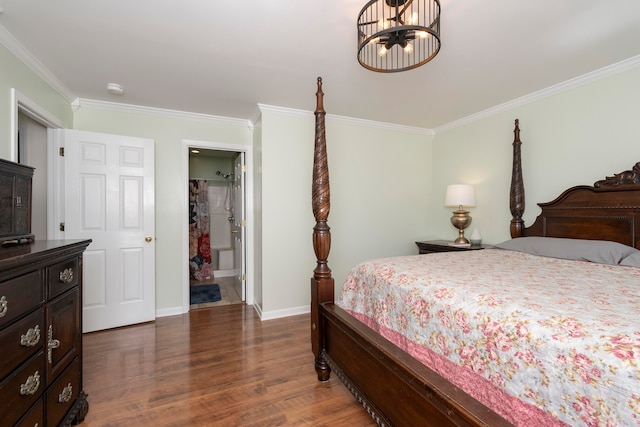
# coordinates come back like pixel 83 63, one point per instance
pixel 41 334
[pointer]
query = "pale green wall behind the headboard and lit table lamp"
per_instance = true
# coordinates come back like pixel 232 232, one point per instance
pixel 574 137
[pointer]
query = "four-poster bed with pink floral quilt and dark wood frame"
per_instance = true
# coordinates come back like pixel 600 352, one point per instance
pixel 393 383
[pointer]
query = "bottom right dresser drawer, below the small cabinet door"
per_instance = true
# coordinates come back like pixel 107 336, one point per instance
pixel 62 394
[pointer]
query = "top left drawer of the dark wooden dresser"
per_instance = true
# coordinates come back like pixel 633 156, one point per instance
pixel 19 296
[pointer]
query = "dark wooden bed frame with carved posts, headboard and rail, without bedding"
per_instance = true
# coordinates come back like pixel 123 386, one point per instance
pixel 392 386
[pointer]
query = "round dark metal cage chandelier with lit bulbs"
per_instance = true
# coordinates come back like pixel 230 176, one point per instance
pixel 398 35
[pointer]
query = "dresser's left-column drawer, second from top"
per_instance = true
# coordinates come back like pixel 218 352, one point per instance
pixel 21 340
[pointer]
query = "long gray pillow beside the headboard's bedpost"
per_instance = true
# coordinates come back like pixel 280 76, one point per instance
pixel 601 251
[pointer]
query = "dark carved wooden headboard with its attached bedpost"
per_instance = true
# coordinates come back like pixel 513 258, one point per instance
pixel 608 210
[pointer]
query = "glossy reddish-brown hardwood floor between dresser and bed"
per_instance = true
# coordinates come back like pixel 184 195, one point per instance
pixel 216 366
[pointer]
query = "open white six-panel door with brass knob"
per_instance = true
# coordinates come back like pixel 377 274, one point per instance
pixel 109 198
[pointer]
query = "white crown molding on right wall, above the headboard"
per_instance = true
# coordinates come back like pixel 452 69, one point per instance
pixel 602 73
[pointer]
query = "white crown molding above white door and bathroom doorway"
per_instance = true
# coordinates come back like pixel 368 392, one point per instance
pixel 162 112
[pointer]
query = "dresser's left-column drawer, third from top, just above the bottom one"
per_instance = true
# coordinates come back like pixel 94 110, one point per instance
pixel 22 389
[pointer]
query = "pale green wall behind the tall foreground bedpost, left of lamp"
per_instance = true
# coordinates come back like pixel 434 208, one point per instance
pixel 380 193
